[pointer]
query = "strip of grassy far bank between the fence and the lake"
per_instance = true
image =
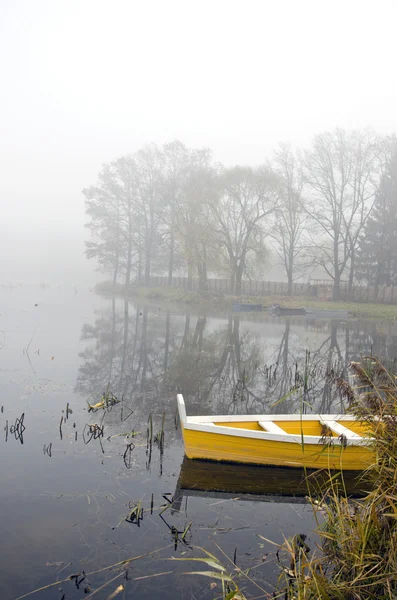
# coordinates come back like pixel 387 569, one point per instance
pixel 225 302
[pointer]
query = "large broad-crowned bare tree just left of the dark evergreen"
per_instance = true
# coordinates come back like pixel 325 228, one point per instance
pixel 340 172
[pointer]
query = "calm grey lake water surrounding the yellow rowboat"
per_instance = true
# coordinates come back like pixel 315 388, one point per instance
pixel 66 490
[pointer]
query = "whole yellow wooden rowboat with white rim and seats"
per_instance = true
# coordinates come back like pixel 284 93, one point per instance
pixel 310 441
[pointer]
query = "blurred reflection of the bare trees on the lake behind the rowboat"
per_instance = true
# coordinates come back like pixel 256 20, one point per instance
pixel 236 364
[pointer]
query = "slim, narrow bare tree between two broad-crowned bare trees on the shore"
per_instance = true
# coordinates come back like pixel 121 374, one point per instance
pixel 290 217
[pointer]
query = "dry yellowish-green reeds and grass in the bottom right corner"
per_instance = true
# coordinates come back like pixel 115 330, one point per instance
pixel 357 559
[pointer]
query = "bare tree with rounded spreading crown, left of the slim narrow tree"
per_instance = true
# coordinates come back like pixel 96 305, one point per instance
pixel 247 197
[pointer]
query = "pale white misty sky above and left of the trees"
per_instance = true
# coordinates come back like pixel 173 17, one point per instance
pixel 85 81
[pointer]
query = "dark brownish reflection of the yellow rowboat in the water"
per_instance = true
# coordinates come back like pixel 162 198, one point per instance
pixel 255 482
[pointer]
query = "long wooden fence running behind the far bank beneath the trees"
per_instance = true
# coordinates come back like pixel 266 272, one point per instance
pixel 323 291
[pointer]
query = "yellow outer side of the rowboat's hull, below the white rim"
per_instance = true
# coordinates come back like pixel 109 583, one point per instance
pixel 231 448
